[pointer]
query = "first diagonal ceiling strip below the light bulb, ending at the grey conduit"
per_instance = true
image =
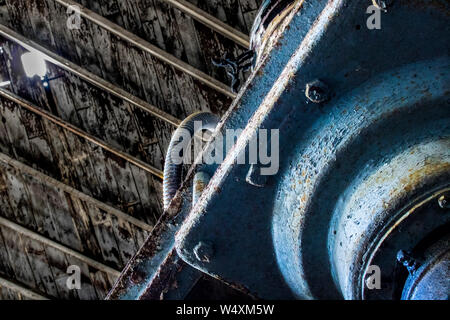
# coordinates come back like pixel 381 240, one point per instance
pixel 59 122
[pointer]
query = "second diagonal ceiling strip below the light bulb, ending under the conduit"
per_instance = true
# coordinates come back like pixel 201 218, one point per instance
pixel 43 178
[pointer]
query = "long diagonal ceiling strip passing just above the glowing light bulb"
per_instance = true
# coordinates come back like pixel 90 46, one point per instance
pixel 86 75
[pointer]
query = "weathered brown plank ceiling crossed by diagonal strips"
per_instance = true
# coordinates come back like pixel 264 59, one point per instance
pixel 81 160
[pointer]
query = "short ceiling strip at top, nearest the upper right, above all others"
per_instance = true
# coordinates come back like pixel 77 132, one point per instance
pixel 211 22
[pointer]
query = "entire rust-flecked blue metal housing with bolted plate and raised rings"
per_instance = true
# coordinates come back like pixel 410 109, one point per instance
pixel 350 164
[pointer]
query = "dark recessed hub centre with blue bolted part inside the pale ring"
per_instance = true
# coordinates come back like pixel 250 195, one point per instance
pixel 411 230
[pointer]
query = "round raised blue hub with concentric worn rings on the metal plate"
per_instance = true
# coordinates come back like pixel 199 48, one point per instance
pixel 363 184
